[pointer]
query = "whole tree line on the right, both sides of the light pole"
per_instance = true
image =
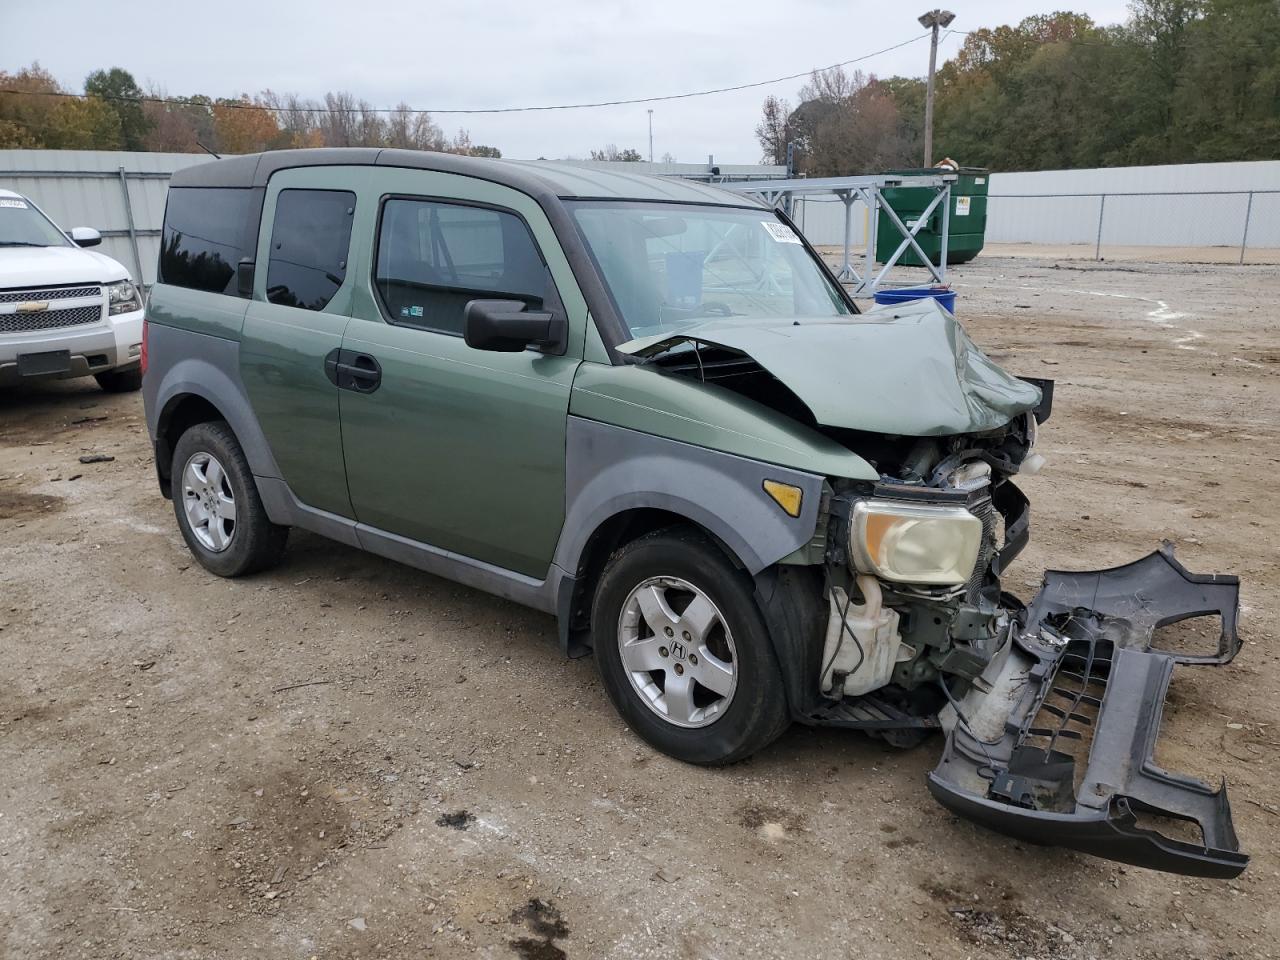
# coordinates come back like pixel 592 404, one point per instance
pixel 1181 81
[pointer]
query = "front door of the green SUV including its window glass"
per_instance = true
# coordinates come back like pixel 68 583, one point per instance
pixel 460 449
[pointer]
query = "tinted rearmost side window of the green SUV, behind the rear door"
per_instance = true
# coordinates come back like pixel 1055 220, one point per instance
pixel 207 234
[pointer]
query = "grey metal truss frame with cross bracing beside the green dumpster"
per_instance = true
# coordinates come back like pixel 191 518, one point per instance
pixel 868 190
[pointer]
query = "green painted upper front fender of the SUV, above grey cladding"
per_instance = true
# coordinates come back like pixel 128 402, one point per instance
pixel 643 399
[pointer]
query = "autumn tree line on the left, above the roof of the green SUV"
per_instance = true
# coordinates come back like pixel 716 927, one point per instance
pixel 117 115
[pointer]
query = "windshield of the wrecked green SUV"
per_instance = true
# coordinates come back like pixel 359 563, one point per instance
pixel 670 264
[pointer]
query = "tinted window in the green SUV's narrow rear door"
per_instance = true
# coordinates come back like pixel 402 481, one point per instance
pixel 310 240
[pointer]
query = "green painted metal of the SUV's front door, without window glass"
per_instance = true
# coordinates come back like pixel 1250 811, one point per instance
pixel 459 447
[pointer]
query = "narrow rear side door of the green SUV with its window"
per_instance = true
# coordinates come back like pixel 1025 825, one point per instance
pixel 295 323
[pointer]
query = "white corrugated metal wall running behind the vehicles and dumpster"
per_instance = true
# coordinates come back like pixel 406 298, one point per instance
pixel 1048 207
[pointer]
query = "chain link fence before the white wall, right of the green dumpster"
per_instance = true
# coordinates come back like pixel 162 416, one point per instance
pixel 1214 227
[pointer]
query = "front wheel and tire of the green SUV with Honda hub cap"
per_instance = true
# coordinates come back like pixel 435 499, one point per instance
pixel 684 652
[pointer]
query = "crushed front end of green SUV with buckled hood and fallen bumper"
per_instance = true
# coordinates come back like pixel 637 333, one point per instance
pixel 1052 710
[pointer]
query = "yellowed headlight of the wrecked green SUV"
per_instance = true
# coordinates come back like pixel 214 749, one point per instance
pixel 913 543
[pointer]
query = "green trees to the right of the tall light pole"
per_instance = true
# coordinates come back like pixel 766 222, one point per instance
pixel 1183 81
